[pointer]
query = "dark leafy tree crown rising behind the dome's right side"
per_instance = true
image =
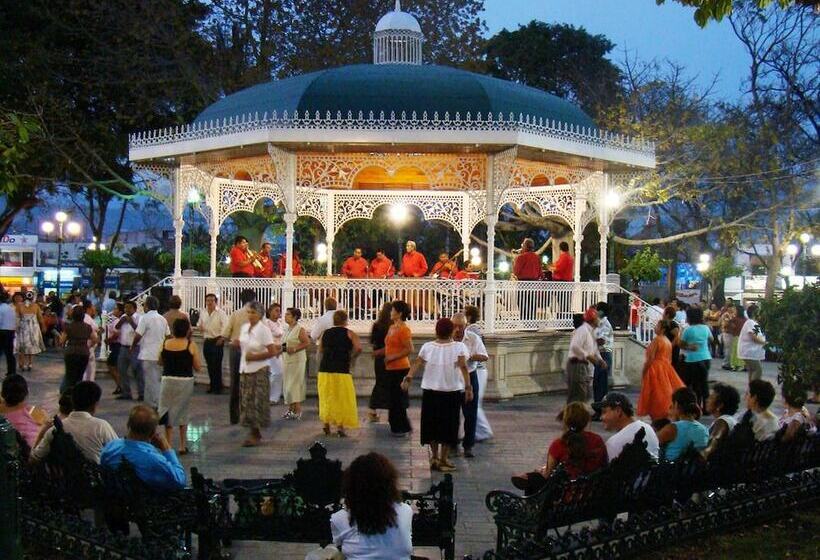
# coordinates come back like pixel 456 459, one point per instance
pixel 560 59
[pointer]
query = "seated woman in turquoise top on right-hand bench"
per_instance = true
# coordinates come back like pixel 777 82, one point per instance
pixel 683 429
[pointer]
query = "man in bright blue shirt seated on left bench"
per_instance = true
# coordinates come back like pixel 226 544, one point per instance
pixel 154 462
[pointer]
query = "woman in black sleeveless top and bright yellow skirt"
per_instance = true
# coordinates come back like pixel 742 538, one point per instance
pixel 337 397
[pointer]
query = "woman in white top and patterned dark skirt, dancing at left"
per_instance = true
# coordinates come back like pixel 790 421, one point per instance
pixel 257 346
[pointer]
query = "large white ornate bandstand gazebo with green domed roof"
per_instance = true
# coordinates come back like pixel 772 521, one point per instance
pixel 338 144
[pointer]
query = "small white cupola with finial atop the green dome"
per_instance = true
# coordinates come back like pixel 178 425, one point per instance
pixel 398 38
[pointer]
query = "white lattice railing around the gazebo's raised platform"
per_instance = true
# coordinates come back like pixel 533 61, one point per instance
pixel 520 306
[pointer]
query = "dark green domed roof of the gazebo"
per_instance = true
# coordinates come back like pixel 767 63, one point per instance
pixel 396 88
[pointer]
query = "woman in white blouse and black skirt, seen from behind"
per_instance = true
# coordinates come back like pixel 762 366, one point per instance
pixel 445 386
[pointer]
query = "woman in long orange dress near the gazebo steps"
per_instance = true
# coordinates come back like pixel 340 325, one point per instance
pixel 659 377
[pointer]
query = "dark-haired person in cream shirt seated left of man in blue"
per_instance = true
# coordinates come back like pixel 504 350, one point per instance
pixel 89 433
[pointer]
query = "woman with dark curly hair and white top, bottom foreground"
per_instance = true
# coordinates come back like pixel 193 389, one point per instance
pixel 375 523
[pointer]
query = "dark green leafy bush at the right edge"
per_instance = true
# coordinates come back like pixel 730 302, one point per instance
pixel 789 324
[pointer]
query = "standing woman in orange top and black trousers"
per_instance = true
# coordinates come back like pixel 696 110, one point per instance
pixel 398 345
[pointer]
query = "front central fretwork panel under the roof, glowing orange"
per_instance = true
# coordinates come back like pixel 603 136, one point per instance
pixel 442 171
